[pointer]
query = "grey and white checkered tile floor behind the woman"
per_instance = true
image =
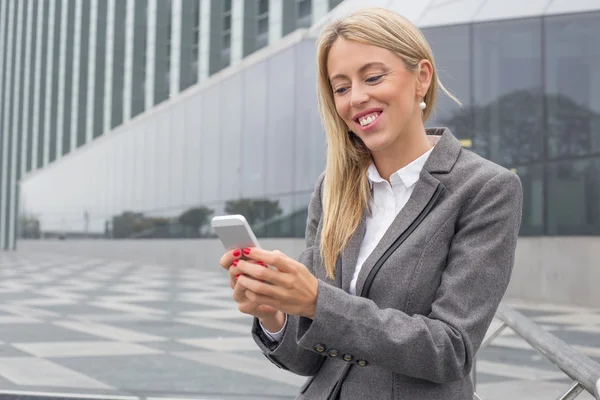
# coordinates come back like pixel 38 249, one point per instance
pixel 96 328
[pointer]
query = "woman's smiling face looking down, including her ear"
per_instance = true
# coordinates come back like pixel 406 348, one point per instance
pixel 375 94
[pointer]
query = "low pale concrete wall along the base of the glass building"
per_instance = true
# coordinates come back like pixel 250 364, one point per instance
pixel 556 270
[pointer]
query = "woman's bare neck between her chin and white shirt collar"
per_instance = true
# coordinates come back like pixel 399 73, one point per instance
pixel 405 150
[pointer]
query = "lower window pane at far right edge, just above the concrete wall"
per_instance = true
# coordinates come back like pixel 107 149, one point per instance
pixel 573 197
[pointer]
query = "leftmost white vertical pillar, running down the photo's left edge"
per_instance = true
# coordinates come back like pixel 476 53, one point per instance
pixel 6 129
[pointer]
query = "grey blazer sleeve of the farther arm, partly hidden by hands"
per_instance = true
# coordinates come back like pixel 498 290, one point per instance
pixel 286 354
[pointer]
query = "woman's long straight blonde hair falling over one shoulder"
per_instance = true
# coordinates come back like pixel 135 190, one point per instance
pixel 346 189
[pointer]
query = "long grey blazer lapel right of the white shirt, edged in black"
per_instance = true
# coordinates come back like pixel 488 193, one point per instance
pixel 423 192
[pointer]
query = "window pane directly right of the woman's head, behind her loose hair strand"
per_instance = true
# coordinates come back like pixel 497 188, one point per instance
pixel 450 46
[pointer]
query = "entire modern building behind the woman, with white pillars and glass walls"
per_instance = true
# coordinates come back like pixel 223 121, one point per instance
pixel 133 119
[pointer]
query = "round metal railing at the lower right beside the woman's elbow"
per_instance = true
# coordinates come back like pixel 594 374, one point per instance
pixel 584 371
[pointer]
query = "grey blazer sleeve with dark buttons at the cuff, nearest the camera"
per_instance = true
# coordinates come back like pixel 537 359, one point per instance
pixel 440 346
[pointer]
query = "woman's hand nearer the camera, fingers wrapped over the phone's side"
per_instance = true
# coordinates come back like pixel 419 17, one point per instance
pixel 292 288
